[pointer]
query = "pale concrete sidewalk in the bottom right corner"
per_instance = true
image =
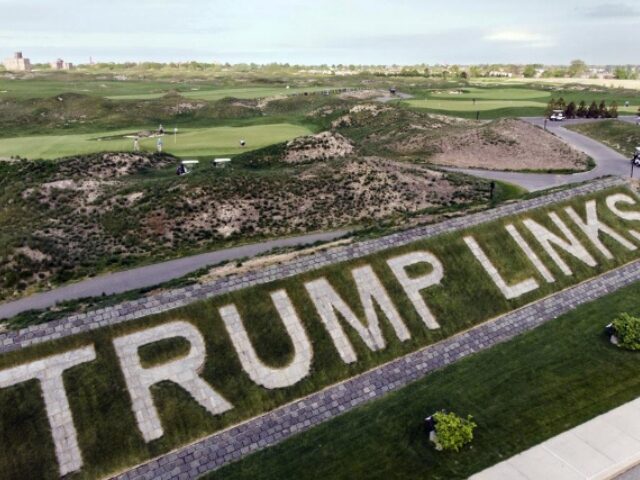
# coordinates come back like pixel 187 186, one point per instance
pixel 603 448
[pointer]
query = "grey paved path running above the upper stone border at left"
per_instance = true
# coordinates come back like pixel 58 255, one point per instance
pixel 151 275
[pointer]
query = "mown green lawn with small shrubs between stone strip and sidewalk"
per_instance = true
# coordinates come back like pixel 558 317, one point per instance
pixel 520 393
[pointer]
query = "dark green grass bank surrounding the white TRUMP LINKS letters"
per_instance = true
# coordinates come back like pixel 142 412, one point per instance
pixel 100 403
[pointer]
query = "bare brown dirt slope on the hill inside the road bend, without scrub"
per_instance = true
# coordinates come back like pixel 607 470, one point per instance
pixel 500 145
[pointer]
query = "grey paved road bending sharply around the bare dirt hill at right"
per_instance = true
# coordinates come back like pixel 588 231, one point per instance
pixel 609 162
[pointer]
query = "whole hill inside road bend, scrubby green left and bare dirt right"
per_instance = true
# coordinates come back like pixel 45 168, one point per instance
pixel 505 144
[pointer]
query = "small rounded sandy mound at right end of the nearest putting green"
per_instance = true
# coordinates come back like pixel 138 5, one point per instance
pixel 322 146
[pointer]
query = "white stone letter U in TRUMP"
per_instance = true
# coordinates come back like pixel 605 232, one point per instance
pixel 260 373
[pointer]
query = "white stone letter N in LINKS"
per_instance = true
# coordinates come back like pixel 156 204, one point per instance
pixel 547 238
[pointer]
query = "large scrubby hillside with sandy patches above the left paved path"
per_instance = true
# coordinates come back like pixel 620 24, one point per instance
pixel 63 220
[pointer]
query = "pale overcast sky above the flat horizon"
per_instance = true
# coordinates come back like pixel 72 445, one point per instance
pixel 324 31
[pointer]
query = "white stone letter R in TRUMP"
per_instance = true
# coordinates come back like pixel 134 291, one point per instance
pixel 182 371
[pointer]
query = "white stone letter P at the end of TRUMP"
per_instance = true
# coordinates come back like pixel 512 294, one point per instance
pixel 413 286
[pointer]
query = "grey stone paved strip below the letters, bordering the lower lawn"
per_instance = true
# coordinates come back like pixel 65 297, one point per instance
pixel 236 442
